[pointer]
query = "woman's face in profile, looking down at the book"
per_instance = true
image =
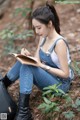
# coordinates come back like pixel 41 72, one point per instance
pixel 40 29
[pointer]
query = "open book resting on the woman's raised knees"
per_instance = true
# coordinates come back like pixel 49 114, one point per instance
pixel 29 60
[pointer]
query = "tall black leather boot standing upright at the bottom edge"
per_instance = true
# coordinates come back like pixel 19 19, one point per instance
pixel 23 108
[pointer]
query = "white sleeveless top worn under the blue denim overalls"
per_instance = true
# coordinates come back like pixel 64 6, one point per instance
pixel 51 52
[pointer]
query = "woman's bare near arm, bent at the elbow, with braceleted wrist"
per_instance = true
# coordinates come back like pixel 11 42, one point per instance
pixel 61 51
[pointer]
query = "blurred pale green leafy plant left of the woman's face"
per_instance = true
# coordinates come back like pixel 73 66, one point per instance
pixel 10 36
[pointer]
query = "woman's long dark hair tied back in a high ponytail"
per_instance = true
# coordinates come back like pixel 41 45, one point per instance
pixel 46 13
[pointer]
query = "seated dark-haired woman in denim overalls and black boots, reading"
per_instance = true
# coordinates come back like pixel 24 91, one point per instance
pixel 53 55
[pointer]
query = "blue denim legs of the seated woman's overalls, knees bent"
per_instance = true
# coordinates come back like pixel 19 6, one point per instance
pixel 29 75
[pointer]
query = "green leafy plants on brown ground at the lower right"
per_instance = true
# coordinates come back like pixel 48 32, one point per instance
pixel 56 103
